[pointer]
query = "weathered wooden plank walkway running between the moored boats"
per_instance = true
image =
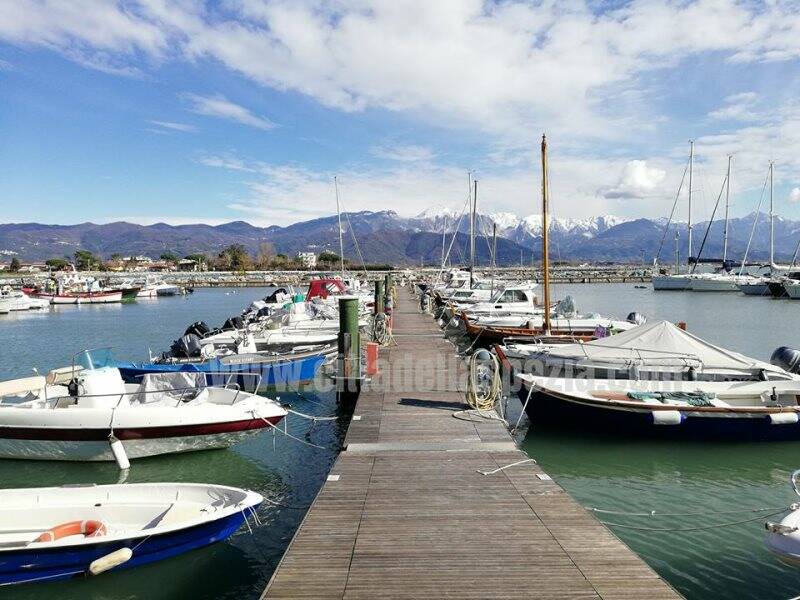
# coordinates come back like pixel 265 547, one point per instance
pixel 405 512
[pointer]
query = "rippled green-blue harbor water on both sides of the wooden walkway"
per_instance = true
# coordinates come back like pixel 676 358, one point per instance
pixel 613 474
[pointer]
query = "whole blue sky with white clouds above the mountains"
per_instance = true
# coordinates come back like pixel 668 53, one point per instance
pixel 180 111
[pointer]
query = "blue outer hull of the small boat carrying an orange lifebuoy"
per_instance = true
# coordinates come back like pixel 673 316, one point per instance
pixel 27 566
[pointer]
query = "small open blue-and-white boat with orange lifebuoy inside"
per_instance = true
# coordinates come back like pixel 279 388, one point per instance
pixel 55 533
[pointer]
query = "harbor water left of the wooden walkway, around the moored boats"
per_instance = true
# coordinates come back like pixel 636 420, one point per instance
pixel 279 468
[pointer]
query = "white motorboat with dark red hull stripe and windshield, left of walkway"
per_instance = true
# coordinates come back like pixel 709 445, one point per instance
pixel 77 412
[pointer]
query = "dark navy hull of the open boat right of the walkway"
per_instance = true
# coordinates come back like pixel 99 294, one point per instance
pixel 547 410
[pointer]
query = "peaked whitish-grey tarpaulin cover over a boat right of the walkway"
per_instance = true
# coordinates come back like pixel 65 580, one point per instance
pixel 657 344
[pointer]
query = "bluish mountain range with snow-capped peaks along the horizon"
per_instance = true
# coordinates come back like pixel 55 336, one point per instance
pixel 386 237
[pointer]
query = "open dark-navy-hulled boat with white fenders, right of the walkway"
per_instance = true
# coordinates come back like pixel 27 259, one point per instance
pixel 735 410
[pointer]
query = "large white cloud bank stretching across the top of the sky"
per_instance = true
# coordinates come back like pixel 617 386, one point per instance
pixel 495 66
